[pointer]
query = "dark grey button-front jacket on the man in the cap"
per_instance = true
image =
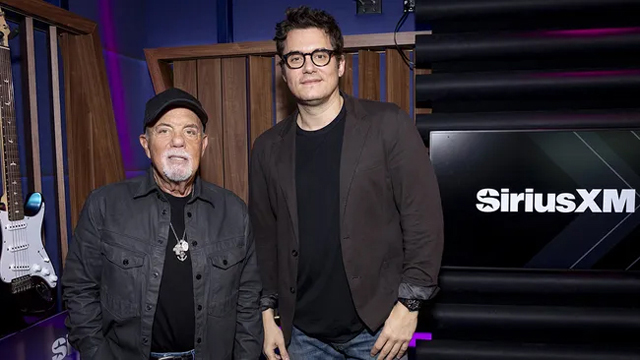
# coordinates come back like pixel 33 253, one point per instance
pixel 114 269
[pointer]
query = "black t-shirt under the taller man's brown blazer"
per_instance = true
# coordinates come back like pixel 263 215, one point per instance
pixel 324 306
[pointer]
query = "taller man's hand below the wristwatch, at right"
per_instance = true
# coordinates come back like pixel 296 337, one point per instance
pixel 396 333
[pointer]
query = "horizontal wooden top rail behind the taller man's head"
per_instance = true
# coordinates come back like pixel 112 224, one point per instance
pixel 268 48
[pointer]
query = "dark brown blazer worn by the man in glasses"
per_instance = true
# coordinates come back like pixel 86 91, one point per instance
pixel 390 212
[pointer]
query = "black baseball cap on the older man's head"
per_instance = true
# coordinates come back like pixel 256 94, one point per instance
pixel 170 99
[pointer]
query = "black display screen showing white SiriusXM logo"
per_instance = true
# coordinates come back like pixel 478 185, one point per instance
pixel 540 199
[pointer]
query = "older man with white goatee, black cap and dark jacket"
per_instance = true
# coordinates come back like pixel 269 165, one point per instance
pixel 162 266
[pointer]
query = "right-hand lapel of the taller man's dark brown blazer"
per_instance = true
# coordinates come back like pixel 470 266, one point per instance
pixel 356 129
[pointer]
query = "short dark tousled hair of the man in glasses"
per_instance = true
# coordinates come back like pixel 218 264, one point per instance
pixel 305 18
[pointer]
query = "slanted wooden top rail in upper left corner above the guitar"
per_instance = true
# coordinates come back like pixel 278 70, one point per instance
pixel 51 14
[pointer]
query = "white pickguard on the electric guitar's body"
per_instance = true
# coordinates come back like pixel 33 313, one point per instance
pixel 22 250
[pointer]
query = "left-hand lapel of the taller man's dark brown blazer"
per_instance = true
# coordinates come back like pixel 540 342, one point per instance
pixel 286 161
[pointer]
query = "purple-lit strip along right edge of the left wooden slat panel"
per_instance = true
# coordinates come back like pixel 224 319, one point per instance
pixel 115 80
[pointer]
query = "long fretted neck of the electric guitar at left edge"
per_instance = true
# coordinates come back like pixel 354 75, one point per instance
pixel 11 156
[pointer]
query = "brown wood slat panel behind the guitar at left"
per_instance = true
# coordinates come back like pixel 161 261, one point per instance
pixel 93 150
